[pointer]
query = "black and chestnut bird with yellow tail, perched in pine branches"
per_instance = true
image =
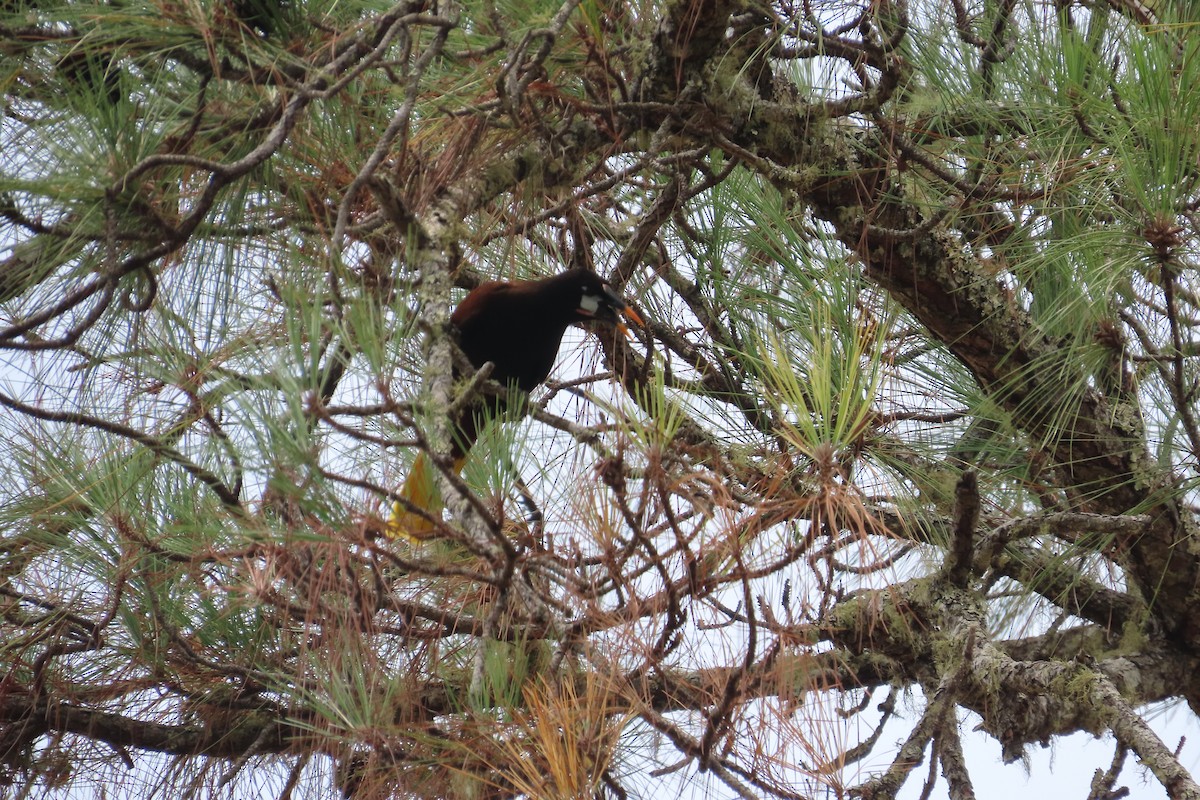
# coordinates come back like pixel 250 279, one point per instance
pixel 518 328
